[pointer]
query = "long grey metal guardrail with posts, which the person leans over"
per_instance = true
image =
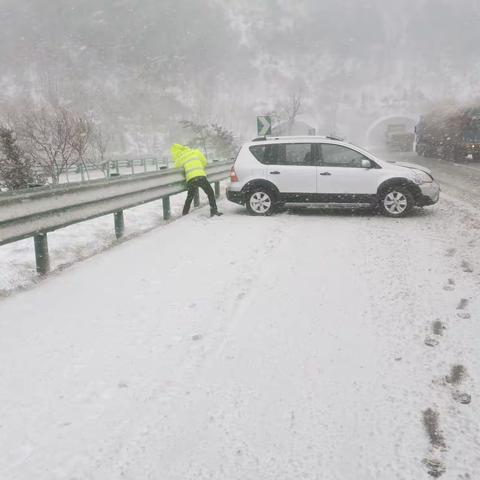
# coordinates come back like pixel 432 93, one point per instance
pixel 35 212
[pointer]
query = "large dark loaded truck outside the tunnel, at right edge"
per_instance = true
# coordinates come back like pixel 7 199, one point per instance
pixel 451 133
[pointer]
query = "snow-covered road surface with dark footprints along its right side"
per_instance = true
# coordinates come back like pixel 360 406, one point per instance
pixel 252 348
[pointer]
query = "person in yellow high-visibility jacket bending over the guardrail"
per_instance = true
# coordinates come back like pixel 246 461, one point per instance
pixel 194 162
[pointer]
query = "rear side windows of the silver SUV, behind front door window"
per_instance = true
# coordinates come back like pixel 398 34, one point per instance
pixel 284 154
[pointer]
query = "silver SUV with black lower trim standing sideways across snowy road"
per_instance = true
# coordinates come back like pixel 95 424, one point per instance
pixel 279 170
